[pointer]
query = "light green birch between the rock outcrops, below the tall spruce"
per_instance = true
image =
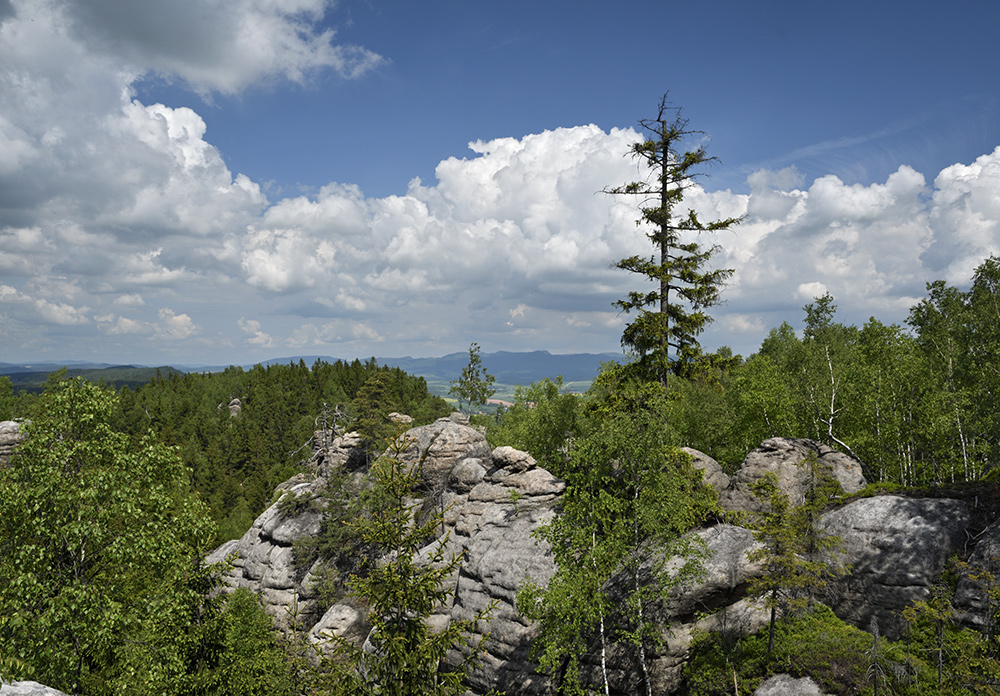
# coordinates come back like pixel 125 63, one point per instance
pixel 630 498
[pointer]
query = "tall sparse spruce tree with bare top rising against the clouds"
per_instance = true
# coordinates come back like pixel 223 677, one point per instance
pixel 672 314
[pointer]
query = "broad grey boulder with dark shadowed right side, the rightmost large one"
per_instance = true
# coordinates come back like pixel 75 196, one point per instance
pixel 896 549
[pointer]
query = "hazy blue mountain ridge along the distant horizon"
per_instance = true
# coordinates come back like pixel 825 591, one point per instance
pixel 506 366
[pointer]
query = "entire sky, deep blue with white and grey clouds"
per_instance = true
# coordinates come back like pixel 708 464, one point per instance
pixel 228 181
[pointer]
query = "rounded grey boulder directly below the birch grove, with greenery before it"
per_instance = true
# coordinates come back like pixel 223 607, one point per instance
pixel 785 457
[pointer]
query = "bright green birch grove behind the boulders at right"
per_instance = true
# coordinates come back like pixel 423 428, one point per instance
pixel 913 404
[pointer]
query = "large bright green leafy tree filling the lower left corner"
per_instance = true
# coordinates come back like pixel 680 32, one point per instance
pixel 96 532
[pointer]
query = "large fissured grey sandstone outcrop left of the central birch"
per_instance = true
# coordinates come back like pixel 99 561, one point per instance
pixel 493 501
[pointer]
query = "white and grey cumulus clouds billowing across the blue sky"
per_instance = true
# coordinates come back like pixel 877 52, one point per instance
pixel 125 237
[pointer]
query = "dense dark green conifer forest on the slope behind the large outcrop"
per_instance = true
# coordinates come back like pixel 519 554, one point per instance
pixel 238 460
